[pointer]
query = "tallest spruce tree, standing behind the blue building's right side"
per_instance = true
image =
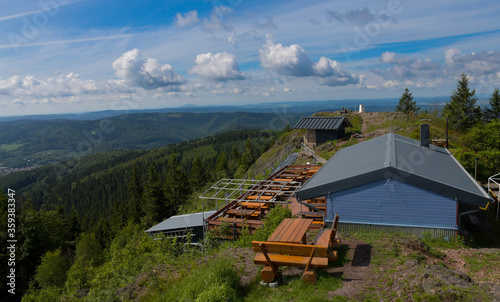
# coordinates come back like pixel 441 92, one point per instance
pixel 462 111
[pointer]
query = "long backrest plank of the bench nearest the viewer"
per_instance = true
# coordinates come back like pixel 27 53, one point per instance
pixel 290 248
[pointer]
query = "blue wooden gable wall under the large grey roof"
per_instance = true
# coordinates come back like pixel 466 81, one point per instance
pixel 391 202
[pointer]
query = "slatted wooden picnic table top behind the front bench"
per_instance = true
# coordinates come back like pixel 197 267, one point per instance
pixel 291 230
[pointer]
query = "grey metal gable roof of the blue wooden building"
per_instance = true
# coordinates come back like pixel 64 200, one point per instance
pixel 397 157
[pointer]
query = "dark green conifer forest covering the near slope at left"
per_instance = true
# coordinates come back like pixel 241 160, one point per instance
pixel 102 193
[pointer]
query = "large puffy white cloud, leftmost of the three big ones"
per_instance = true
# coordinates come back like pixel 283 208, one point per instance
pixel 137 71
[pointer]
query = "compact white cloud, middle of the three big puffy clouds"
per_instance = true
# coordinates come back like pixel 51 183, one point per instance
pixel 217 67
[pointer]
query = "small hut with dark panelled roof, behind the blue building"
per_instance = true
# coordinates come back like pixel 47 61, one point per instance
pixel 322 129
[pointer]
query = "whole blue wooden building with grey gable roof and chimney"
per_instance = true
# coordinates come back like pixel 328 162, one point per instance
pixel 397 183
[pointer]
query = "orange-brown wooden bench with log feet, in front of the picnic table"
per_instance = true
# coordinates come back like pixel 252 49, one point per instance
pixel 276 254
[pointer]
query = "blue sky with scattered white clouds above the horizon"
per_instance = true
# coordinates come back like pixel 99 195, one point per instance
pixel 60 56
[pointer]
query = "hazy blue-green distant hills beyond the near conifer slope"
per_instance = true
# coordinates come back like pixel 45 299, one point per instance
pixel 33 142
